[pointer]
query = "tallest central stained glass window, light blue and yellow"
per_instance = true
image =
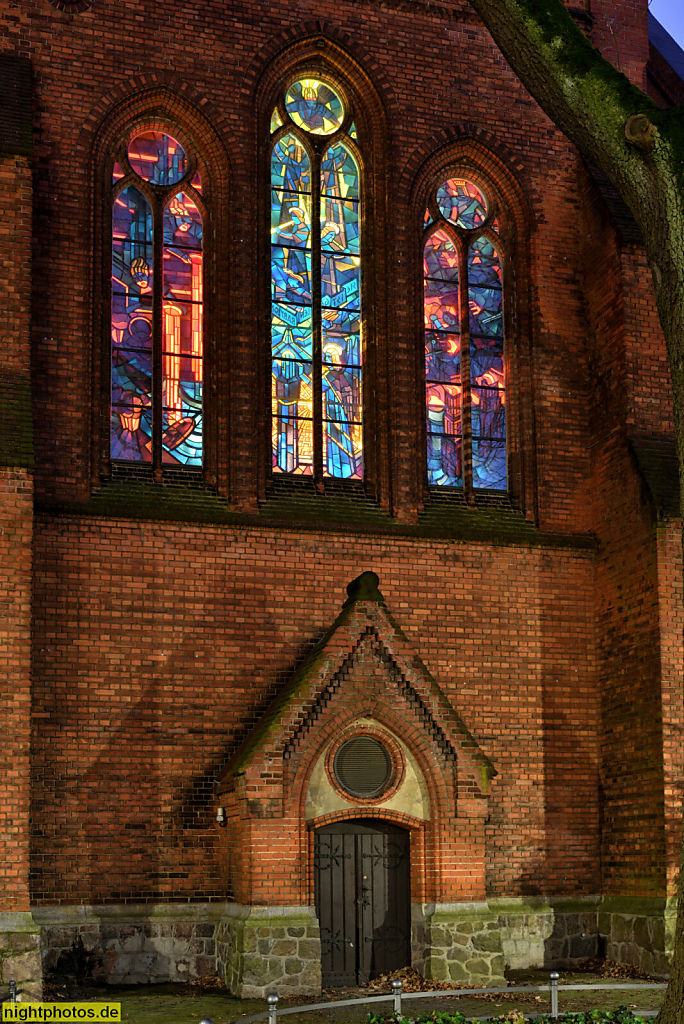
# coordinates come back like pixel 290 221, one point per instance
pixel 317 342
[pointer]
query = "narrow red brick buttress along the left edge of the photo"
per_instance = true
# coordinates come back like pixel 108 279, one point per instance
pixel 16 532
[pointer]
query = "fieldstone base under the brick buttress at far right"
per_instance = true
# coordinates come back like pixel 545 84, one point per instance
pixel 639 931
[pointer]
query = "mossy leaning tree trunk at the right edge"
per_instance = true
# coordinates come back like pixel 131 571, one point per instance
pixel 640 148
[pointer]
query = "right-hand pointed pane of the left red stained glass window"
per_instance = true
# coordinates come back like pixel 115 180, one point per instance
pixel 183 346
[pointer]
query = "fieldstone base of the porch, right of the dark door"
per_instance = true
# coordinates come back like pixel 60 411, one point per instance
pixel 459 943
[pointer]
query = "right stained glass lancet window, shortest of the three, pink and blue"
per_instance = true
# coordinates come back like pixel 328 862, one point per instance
pixel 464 340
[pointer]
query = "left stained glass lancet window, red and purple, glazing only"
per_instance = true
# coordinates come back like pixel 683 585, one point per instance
pixel 157 344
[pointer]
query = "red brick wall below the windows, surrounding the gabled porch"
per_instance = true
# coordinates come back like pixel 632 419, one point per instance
pixel 147 679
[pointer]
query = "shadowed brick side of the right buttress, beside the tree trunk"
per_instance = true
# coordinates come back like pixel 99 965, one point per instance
pixel 627 616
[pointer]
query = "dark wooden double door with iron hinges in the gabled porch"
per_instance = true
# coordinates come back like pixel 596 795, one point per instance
pixel 362 891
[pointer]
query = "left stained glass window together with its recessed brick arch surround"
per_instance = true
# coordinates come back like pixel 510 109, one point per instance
pixel 193 206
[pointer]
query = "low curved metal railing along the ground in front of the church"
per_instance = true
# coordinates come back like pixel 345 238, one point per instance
pixel 398 996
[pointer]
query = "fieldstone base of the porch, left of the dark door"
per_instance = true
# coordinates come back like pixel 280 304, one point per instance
pixel 265 950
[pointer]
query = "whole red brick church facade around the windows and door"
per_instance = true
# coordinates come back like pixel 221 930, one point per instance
pixel 153 623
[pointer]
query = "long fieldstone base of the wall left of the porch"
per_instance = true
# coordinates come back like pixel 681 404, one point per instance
pixel 131 945
